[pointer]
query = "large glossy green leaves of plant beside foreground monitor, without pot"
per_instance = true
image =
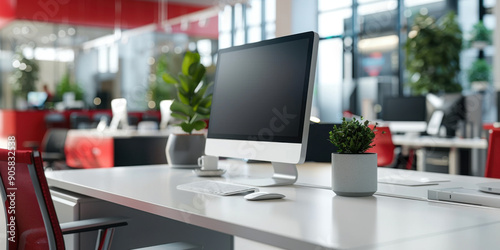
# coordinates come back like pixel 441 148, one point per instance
pixel 192 104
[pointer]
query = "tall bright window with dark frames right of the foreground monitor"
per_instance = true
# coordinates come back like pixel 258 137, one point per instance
pixel 361 55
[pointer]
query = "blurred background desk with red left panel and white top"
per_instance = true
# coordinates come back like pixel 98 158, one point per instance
pixel 89 148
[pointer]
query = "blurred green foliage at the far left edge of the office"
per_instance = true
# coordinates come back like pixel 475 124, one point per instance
pixel 24 76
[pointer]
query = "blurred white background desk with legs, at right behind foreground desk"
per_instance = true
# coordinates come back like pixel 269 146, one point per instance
pixel 452 143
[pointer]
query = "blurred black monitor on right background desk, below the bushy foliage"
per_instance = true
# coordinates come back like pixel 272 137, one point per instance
pixel 411 108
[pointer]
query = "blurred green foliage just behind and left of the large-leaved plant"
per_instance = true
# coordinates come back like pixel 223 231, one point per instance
pixel 158 90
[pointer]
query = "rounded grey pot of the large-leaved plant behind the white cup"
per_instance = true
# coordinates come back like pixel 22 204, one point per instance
pixel 185 149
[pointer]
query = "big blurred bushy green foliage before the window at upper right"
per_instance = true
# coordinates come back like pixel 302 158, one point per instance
pixel 433 55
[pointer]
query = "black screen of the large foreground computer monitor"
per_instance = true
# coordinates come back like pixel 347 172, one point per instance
pixel 260 90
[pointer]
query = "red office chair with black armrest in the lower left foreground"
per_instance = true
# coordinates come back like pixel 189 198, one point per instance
pixel 30 215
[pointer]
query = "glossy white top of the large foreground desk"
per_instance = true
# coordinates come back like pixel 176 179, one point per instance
pixel 308 218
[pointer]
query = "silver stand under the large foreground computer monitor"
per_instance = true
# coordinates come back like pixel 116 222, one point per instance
pixel 284 174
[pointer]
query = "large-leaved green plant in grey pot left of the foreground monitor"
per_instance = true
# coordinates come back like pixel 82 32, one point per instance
pixel 192 108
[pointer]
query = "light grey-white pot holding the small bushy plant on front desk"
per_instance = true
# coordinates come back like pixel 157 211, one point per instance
pixel 354 174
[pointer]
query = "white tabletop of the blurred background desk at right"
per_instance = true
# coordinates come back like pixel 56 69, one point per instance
pixel 430 141
